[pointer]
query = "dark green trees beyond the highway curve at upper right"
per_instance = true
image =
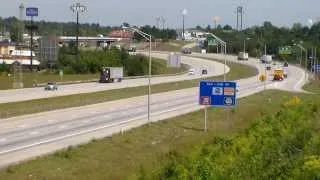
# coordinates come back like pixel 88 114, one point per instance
pixel 273 37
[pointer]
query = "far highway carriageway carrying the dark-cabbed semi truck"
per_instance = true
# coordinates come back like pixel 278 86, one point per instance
pixel 214 69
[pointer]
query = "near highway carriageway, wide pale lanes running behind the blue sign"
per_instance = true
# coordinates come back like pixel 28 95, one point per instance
pixel 29 136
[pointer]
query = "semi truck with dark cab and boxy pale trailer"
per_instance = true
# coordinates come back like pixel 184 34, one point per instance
pixel 111 74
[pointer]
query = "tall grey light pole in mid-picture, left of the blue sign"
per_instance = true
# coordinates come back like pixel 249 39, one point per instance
pixel 149 38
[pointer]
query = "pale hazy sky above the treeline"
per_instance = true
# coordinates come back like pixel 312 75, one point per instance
pixel 200 12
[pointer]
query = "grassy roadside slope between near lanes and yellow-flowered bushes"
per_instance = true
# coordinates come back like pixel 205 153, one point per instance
pixel 122 156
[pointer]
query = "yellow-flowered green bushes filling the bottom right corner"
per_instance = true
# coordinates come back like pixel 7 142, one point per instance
pixel 284 145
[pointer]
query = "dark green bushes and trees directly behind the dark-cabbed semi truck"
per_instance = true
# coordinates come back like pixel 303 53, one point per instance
pixel 93 61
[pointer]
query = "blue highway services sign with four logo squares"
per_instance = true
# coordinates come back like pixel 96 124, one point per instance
pixel 219 94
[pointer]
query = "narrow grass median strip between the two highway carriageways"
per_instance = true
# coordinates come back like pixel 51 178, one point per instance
pixel 41 105
